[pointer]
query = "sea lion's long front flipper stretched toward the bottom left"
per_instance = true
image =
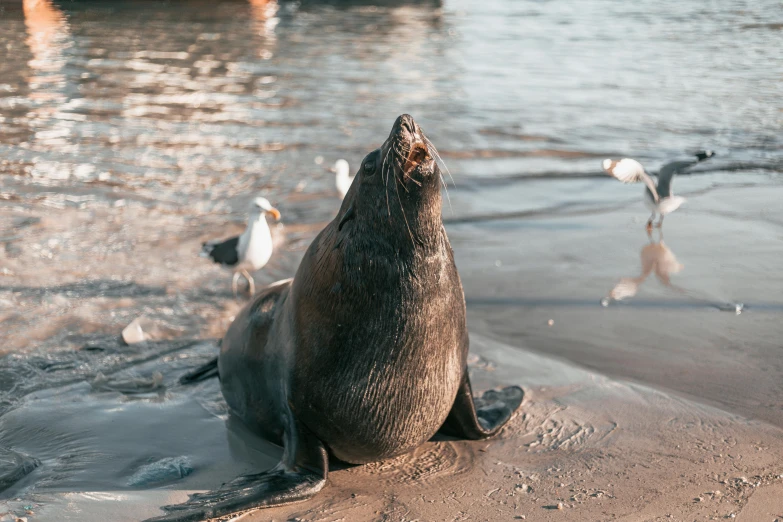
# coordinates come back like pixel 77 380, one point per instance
pixel 275 487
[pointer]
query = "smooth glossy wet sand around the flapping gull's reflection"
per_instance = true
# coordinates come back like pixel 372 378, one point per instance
pixel 728 241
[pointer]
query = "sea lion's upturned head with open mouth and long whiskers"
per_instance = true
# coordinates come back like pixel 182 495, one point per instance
pixel 396 193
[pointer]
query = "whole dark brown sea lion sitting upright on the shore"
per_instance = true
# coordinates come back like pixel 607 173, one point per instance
pixel 363 353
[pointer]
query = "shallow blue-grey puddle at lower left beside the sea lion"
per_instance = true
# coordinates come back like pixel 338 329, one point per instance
pixel 92 446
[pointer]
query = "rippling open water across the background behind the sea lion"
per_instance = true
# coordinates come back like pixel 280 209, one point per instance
pixel 187 104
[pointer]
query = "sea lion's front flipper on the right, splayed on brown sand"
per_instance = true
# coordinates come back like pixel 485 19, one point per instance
pixel 483 417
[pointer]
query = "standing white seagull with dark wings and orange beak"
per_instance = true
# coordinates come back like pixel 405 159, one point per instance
pixel 249 251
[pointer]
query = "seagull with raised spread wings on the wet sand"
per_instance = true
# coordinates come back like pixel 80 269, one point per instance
pixel 660 198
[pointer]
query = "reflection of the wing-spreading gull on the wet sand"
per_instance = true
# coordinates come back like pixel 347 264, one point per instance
pixel 658 258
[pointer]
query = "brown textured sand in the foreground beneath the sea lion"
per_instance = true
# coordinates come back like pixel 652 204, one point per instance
pixel 600 448
